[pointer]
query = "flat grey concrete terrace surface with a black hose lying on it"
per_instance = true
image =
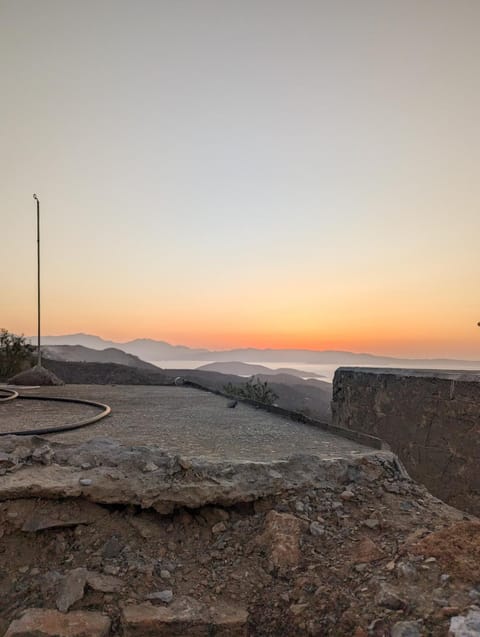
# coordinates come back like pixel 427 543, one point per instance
pixel 180 420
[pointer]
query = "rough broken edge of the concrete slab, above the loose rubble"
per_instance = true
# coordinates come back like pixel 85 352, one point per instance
pixel 178 482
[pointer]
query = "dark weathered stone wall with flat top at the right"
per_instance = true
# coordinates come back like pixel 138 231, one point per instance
pixel 430 419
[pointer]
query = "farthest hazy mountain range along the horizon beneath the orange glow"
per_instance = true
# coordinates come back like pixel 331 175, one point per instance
pixel 152 350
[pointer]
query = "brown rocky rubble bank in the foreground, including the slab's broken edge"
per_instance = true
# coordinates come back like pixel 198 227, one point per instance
pixel 100 540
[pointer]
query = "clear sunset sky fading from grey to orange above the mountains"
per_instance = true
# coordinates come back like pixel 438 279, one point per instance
pixel 266 173
